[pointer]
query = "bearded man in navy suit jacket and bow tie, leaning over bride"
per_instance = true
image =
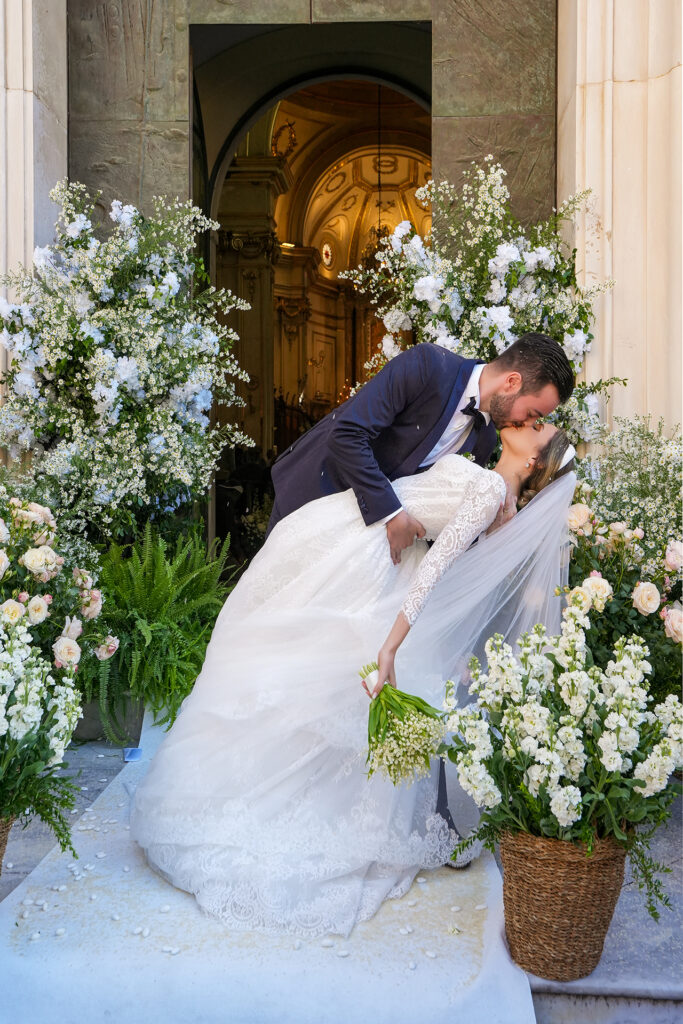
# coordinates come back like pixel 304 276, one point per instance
pixel 424 404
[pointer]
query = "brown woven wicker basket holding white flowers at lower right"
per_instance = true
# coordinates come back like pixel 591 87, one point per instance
pixel 559 903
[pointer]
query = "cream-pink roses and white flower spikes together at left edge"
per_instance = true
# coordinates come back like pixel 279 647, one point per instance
pixel 50 626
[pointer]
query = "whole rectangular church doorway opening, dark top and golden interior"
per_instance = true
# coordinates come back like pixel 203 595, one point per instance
pixel 305 190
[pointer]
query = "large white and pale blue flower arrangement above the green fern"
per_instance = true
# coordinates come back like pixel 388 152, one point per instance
pixel 115 361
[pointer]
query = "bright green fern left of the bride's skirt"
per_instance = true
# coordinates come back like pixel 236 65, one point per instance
pixel 162 603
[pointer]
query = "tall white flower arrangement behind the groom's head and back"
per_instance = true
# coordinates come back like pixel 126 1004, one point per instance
pixel 481 281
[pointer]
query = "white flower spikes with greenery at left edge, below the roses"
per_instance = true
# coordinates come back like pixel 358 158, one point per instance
pixel 39 709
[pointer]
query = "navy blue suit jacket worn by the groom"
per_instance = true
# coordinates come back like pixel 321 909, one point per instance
pixel 381 434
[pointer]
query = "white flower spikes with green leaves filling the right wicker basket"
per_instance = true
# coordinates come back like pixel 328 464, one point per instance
pixel 556 746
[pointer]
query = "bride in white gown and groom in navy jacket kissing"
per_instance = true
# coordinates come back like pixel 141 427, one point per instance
pixel 258 801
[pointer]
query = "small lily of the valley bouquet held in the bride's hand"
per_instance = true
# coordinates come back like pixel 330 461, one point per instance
pixel 404 732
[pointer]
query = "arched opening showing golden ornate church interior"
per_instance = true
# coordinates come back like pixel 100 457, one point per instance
pixel 320 177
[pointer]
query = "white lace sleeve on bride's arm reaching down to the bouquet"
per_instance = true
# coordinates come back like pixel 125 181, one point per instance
pixel 476 514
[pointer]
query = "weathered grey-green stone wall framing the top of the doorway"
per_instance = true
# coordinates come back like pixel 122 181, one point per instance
pixel 493 71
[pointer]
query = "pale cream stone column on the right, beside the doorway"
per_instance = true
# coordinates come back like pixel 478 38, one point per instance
pixel 620 135
